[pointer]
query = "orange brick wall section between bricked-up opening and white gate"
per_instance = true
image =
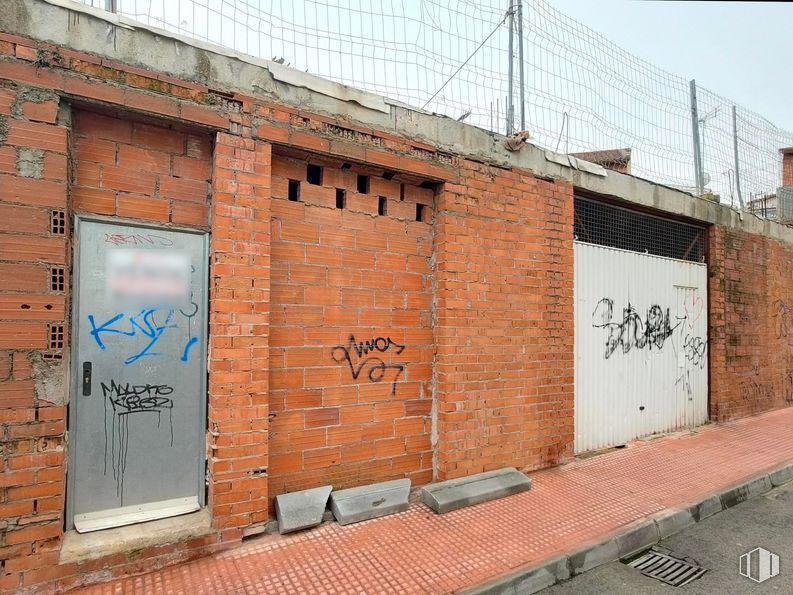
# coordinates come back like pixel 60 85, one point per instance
pixel 504 327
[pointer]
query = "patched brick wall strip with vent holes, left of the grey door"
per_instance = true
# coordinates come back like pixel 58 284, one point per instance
pixel 33 278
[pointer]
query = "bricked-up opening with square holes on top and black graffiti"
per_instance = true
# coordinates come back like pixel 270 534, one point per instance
pixel 340 273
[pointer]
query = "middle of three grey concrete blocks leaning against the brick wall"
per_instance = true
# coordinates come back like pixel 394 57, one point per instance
pixel 370 502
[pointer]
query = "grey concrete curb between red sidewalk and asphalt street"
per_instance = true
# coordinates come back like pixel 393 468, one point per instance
pixel 629 540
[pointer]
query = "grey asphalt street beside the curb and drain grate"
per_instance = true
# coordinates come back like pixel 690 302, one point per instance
pixel 717 544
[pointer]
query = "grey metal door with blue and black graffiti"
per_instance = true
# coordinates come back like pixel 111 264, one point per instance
pixel 137 407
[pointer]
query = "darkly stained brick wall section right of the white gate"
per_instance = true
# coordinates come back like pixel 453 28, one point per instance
pixel 751 324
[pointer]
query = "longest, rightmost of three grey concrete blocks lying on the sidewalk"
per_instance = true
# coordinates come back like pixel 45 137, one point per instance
pixel 474 489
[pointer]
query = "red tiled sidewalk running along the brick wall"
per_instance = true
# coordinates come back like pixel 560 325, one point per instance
pixel 421 552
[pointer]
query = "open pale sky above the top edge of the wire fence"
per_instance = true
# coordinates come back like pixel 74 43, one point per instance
pixel 741 50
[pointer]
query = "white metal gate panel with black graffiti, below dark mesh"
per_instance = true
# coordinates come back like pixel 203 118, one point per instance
pixel 640 345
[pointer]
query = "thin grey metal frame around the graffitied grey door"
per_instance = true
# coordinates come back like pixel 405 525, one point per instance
pixel 74 385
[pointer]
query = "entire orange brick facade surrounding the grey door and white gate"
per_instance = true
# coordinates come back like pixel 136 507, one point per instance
pixel 378 308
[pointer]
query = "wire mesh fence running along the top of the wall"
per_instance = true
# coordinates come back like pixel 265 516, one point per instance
pixel 580 92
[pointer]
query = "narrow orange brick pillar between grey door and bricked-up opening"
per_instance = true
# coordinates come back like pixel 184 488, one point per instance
pixel 239 335
